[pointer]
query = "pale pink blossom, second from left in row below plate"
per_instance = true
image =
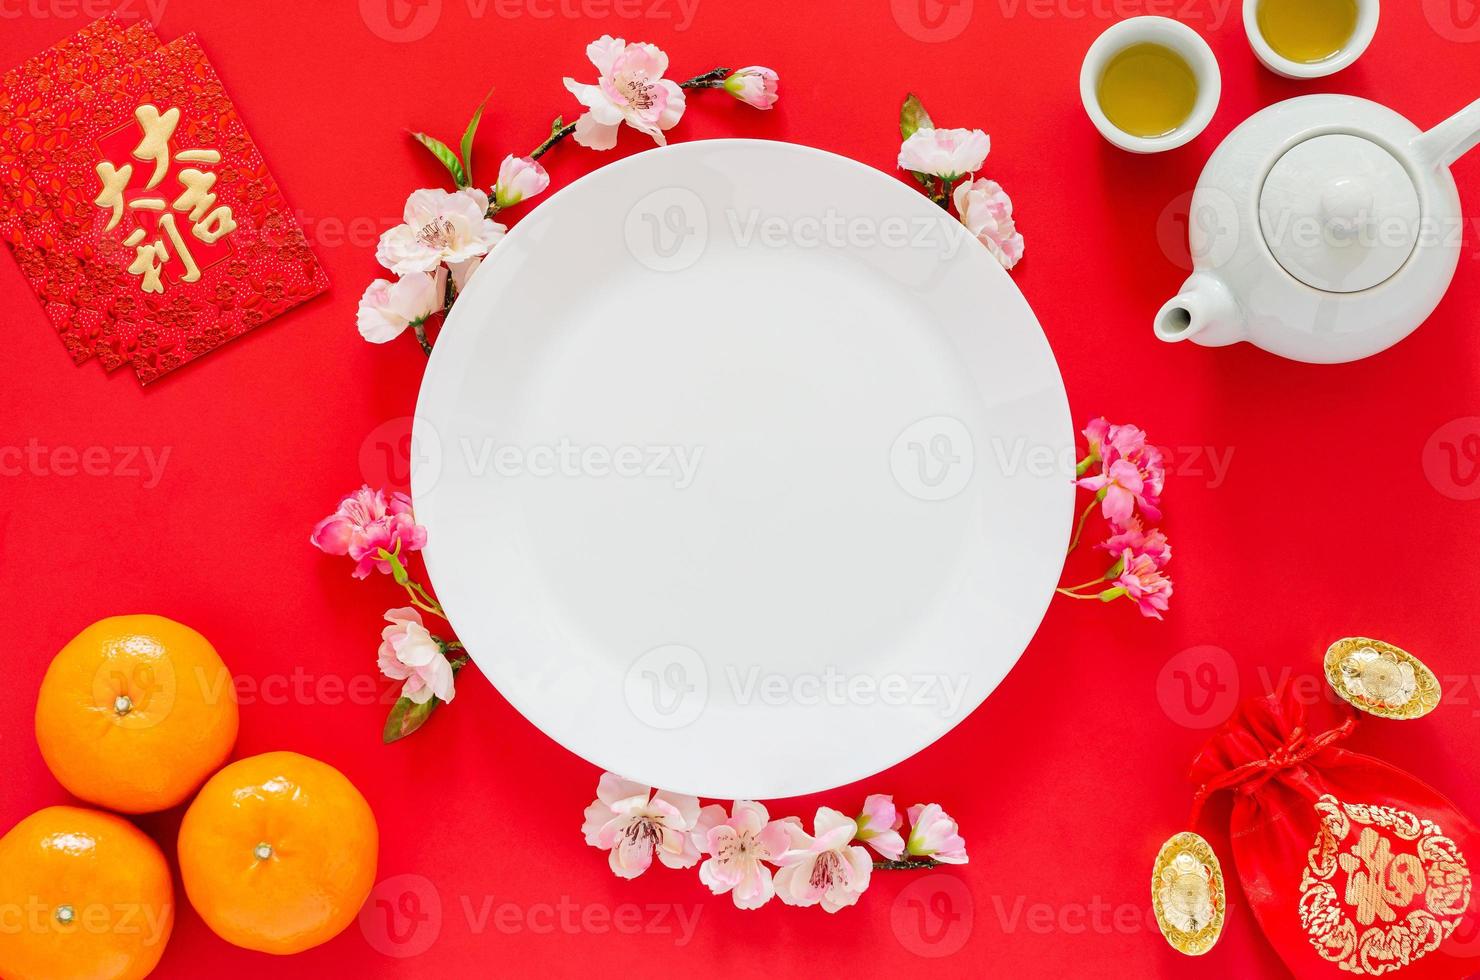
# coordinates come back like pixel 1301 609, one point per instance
pixel 739 846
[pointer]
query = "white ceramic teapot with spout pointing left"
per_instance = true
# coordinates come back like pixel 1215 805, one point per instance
pixel 1325 229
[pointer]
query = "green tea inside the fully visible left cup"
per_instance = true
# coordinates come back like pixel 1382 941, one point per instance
pixel 1148 91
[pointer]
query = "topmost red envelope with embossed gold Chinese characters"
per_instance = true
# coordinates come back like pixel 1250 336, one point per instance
pixel 164 217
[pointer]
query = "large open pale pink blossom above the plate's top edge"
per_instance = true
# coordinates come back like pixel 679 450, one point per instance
pixel 631 91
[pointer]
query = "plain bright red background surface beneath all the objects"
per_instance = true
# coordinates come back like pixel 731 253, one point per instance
pixel 1336 516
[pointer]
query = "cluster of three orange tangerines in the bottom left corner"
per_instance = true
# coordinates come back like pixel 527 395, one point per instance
pixel 277 852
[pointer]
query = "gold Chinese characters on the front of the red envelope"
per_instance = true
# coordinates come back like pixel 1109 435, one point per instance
pixel 178 229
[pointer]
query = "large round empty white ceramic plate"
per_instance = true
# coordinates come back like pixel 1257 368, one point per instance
pixel 747 471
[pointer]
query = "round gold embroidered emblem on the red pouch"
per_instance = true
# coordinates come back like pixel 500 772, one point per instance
pixel 1382 887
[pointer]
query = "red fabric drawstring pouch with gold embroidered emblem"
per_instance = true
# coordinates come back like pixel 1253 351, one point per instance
pixel 1352 867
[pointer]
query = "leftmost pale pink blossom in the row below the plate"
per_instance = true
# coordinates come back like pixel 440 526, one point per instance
pixel 636 824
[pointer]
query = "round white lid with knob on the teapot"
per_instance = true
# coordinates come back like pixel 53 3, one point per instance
pixel 1340 214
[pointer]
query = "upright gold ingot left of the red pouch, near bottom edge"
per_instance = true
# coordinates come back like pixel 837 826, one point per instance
pixel 1188 895
